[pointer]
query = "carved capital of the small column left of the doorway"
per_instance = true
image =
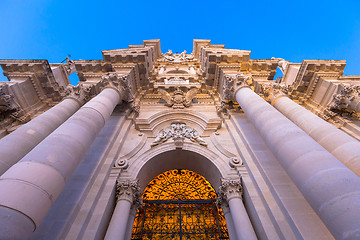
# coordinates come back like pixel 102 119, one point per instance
pixel 128 190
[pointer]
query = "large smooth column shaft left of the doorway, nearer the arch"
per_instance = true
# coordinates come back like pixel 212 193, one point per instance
pixel 30 187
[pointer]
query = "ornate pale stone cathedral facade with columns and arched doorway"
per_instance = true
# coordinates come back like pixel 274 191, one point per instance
pixel 153 145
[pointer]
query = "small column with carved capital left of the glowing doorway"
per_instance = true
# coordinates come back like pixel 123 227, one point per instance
pixel 127 194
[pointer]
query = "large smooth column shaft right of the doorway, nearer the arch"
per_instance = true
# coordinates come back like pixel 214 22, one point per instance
pixel 329 186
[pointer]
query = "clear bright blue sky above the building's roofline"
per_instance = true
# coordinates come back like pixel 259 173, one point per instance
pixel 293 30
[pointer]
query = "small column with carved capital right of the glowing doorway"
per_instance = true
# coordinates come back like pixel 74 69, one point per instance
pixel 231 193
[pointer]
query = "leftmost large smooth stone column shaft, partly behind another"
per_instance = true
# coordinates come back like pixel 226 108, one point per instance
pixel 17 144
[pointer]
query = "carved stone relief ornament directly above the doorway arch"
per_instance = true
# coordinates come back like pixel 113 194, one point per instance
pixel 178 131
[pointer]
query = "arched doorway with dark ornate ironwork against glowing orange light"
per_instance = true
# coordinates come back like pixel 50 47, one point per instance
pixel 179 204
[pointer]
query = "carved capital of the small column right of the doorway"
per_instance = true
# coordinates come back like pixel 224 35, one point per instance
pixel 229 189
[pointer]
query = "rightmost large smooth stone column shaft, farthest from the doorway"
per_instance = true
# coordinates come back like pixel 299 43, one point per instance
pixel 340 144
